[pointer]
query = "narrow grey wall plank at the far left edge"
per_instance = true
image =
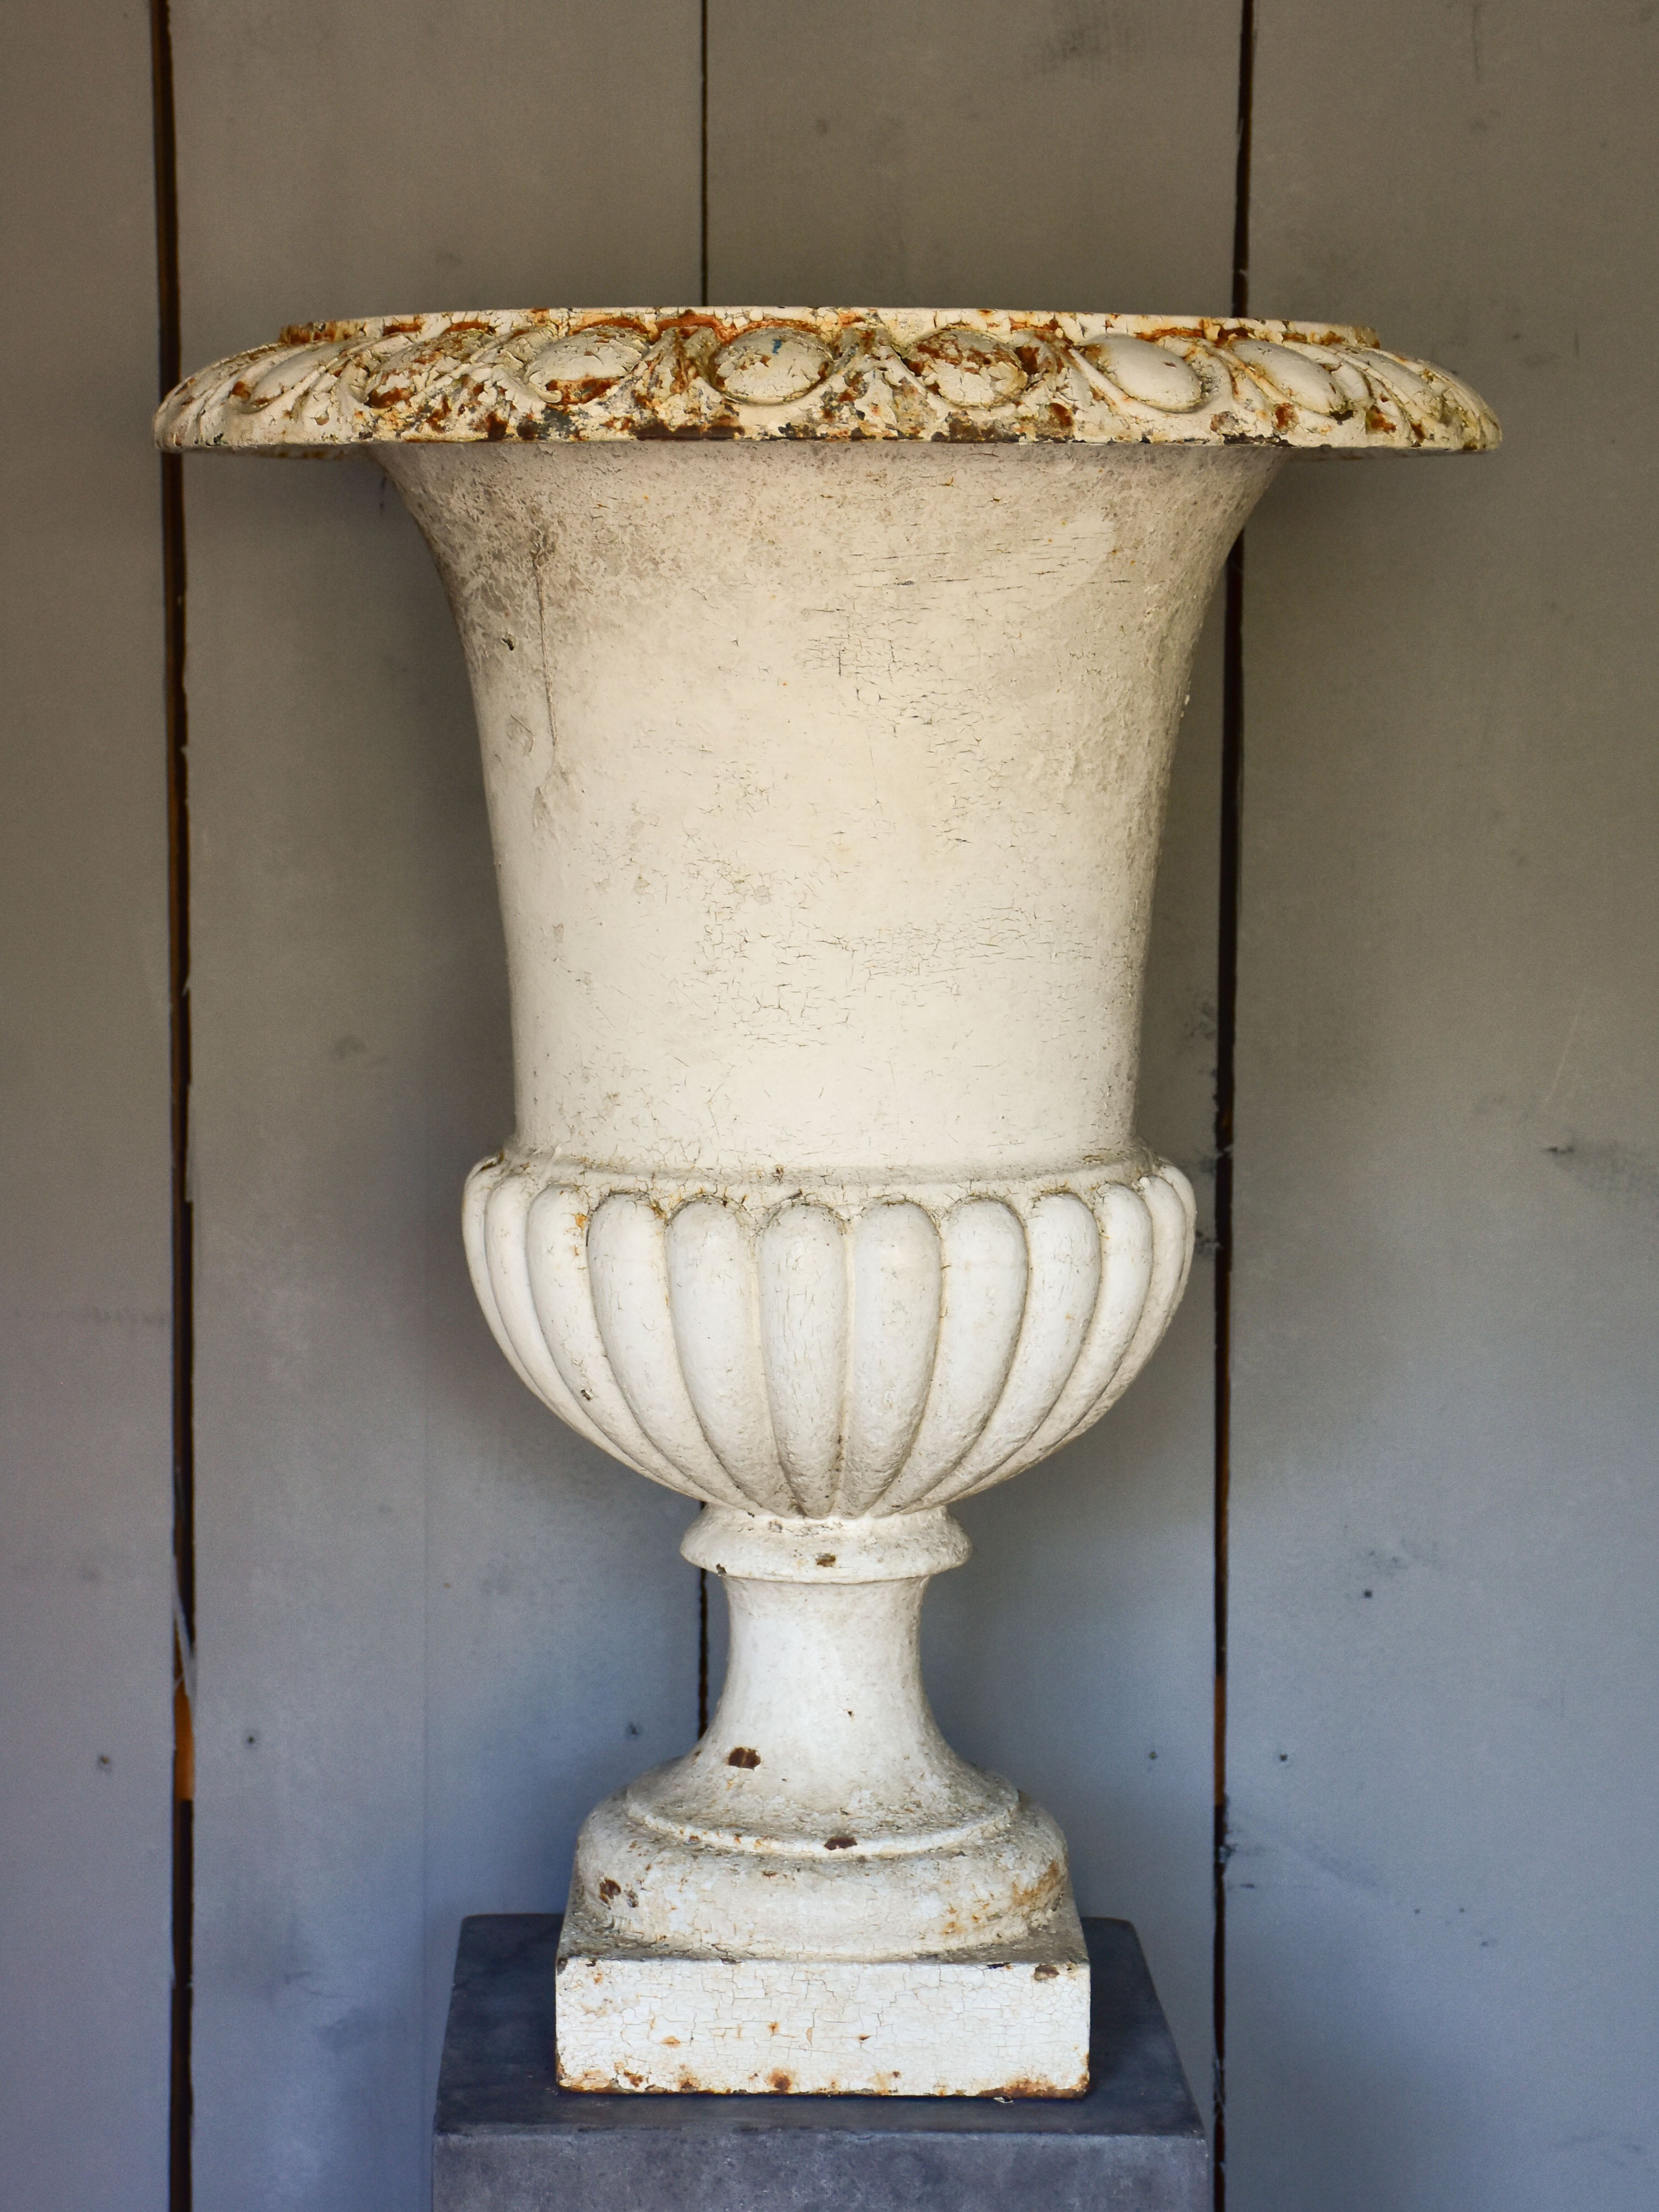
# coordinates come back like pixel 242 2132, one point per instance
pixel 85 1266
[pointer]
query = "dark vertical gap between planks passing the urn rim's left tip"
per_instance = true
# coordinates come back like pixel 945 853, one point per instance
pixel 178 804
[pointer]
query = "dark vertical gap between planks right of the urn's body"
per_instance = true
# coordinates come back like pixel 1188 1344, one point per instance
pixel 1233 735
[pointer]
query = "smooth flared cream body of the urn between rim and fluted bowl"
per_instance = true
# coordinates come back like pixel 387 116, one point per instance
pixel 826 789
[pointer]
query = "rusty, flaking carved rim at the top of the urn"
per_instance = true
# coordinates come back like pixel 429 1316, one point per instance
pixel 824 373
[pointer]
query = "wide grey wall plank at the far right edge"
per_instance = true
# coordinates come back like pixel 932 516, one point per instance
pixel 1443 1766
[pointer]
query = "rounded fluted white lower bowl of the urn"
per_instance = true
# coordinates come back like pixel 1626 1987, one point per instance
pixel 828 1350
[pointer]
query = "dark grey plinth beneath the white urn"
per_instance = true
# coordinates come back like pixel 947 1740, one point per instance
pixel 510 2140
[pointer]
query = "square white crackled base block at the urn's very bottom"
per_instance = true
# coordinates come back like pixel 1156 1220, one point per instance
pixel 992 2027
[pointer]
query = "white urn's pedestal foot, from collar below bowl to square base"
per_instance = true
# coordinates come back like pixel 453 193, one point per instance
pixel 822 1897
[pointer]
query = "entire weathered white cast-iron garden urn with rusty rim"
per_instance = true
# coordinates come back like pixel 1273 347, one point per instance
pixel 828 667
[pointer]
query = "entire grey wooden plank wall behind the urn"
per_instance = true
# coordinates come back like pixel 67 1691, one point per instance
pixel 435 1627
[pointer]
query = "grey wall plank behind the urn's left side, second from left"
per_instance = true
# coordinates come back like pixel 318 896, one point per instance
pixel 435 1625
